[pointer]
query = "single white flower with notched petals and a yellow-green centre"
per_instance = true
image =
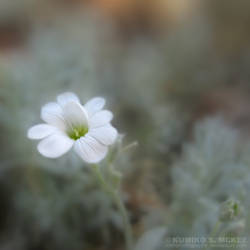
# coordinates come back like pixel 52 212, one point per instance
pixel 69 124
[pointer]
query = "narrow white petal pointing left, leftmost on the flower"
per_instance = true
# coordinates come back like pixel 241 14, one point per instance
pixel 40 131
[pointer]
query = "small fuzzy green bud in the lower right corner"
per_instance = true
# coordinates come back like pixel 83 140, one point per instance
pixel 230 210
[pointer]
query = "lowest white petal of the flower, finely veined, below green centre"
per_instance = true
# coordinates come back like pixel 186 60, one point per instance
pixel 90 150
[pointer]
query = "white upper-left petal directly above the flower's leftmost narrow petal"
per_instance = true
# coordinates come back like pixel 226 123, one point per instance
pixel 52 114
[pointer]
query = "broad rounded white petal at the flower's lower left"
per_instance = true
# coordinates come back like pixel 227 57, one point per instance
pixel 55 145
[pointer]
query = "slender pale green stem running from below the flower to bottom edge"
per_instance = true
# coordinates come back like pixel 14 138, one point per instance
pixel 119 203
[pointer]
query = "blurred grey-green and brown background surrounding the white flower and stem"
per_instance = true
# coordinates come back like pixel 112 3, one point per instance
pixel 176 75
